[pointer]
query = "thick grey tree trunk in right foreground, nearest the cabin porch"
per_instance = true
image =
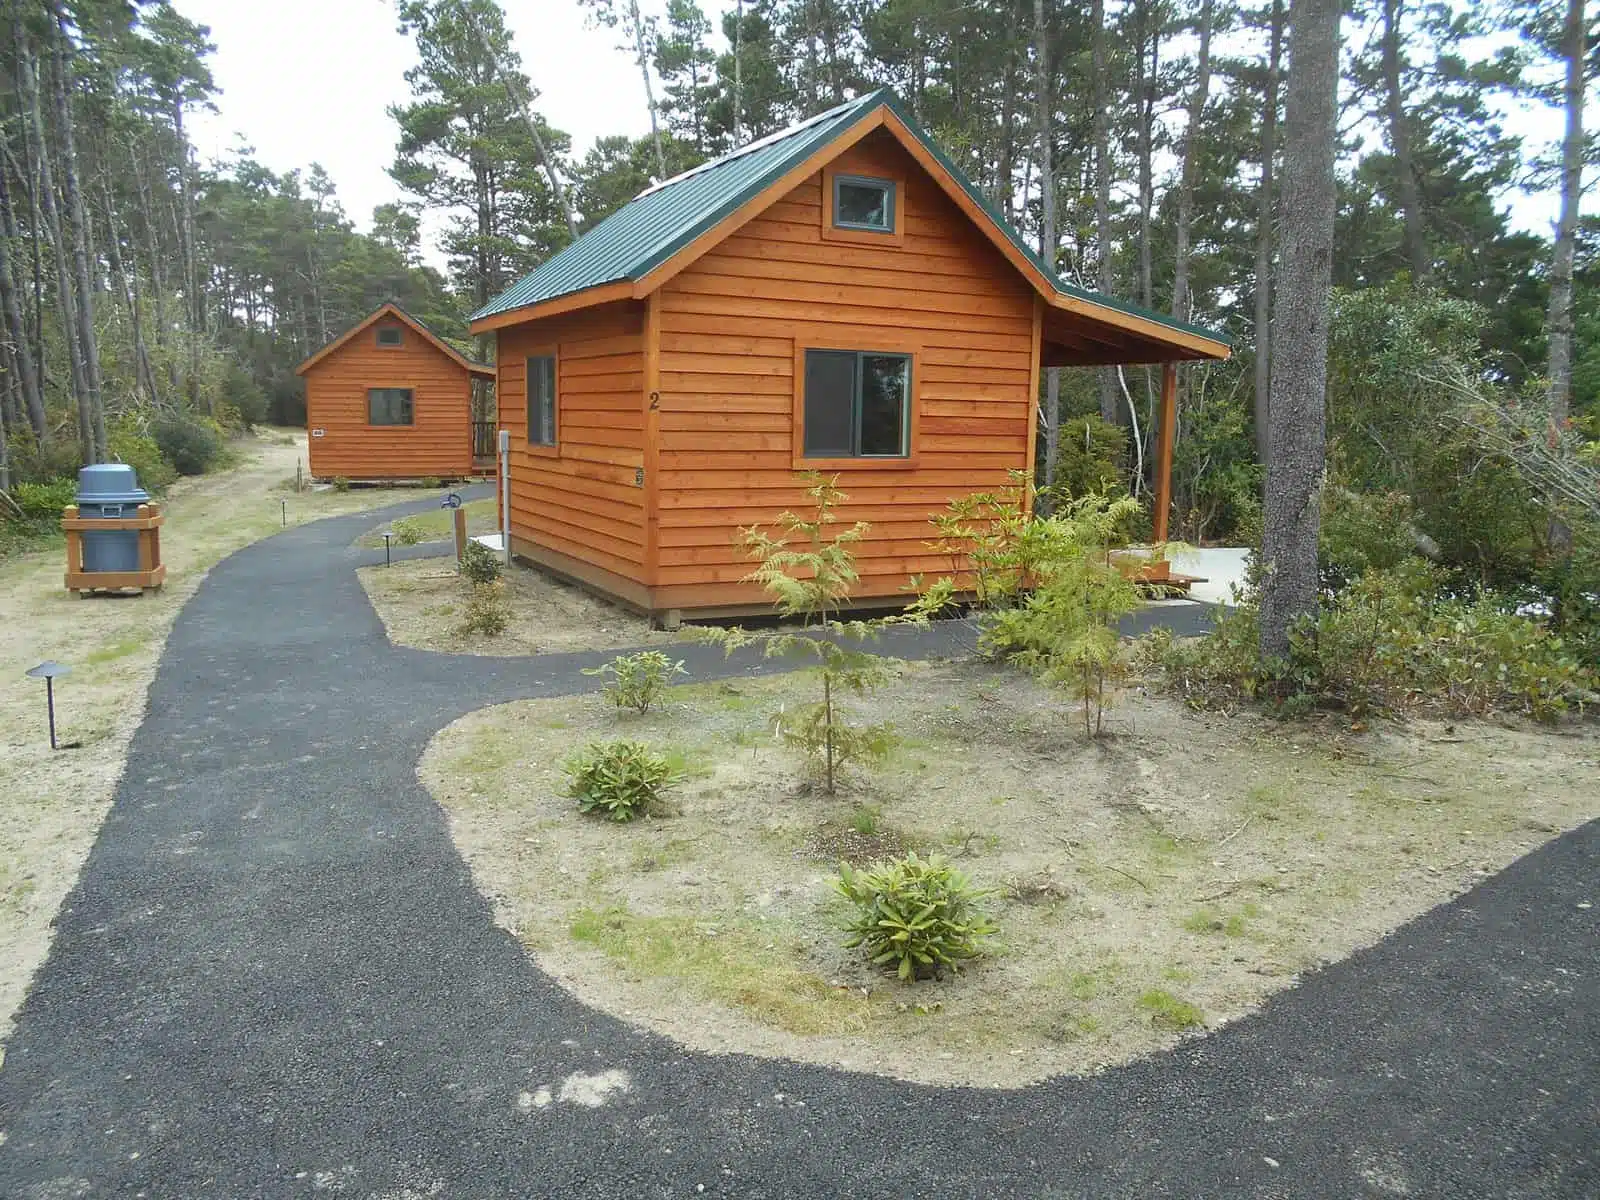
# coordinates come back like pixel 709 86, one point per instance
pixel 1300 362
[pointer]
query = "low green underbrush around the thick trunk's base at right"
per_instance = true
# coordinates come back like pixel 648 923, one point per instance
pixel 1394 641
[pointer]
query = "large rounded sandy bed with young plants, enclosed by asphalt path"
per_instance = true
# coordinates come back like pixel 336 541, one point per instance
pixel 1151 886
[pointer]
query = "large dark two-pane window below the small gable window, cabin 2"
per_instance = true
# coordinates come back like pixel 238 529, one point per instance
pixel 857 404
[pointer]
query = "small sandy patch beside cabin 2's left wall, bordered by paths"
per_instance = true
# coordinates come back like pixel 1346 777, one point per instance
pixel 420 604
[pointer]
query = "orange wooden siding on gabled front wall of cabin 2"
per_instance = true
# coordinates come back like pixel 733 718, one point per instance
pixel 734 327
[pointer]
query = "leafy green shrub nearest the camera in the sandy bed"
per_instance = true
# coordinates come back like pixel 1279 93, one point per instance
pixel 916 916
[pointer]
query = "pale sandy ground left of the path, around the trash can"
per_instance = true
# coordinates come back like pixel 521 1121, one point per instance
pixel 55 802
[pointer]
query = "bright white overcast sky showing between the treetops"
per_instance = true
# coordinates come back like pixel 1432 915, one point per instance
pixel 311 81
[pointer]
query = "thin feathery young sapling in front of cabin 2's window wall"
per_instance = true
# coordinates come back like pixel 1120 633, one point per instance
pixel 810 570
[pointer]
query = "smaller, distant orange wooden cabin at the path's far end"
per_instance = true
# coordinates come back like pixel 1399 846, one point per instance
pixel 390 399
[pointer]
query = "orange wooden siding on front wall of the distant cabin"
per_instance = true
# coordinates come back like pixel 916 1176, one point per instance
pixel 439 442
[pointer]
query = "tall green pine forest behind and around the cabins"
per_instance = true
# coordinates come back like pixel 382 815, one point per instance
pixel 1140 143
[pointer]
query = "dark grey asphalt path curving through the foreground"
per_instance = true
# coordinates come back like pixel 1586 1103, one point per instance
pixel 278 980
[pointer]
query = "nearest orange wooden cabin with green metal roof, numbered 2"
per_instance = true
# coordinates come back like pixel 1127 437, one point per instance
pixel 838 298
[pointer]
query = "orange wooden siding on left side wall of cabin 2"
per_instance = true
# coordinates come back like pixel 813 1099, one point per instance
pixel 578 506
